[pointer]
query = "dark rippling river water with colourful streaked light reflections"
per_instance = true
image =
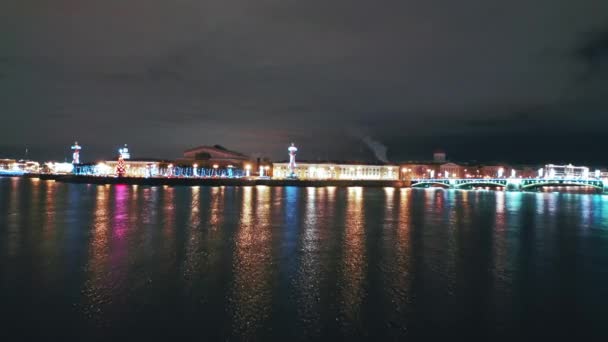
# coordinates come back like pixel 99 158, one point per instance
pixel 258 263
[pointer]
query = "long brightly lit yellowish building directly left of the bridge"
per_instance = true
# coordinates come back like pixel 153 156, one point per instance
pixel 336 171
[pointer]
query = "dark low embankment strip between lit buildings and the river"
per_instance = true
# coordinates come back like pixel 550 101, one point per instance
pixel 176 181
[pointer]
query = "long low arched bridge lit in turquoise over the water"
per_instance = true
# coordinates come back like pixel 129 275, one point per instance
pixel 515 184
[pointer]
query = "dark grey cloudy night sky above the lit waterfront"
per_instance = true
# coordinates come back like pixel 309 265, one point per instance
pixel 520 80
